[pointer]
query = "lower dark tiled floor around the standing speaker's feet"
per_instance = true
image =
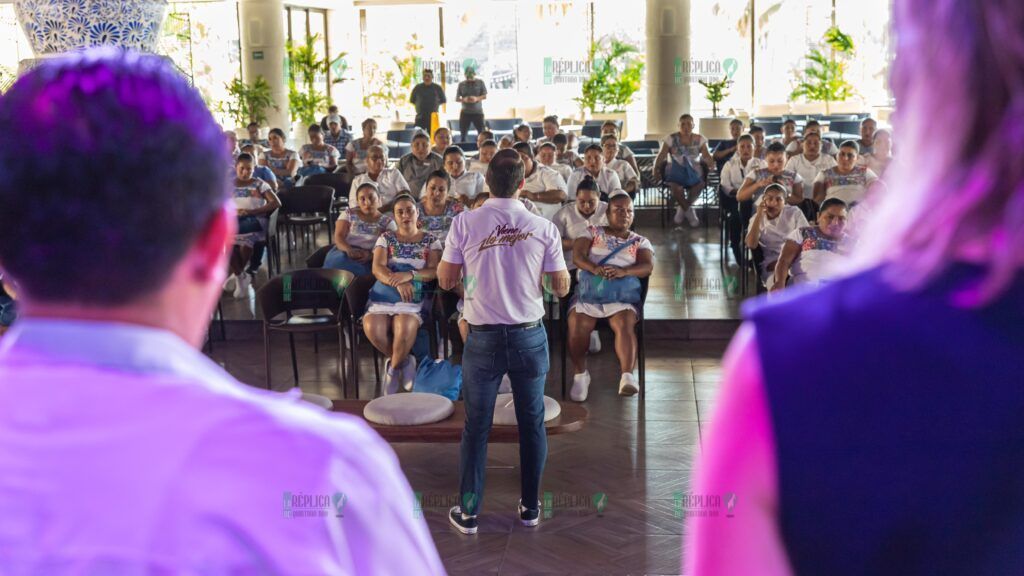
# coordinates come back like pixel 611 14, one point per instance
pixel 638 459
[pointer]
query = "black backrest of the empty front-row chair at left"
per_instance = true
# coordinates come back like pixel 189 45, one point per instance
pixel 304 290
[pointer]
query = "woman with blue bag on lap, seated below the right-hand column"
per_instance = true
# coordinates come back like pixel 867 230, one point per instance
pixel 685 151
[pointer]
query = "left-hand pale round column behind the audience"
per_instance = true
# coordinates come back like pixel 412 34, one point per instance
pixel 262 25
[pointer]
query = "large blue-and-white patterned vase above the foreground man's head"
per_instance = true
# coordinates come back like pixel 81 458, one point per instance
pixel 60 26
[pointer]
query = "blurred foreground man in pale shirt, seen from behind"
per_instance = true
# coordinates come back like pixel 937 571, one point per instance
pixel 125 450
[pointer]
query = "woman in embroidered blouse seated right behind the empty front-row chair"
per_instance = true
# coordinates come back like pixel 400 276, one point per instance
pixel 357 232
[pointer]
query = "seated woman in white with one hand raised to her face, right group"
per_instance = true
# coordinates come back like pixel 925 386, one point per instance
pixel 769 230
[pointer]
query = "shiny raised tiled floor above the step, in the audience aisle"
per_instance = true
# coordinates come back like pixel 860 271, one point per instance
pixel 688 282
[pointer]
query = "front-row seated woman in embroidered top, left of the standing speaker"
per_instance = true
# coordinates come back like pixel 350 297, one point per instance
pixel 404 261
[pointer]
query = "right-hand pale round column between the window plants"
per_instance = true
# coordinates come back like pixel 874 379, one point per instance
pixel 668 46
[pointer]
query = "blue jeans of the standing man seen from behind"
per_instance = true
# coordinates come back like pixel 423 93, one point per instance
pixel 524 355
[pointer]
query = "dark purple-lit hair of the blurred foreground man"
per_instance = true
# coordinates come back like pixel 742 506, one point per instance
pixel 97 237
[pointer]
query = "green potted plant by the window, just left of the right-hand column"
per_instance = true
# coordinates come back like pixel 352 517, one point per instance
pixel 617 70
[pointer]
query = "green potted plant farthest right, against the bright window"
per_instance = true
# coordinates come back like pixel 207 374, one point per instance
pixel 824 78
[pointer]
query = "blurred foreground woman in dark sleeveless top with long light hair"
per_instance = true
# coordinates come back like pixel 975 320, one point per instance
pixel 895 448
